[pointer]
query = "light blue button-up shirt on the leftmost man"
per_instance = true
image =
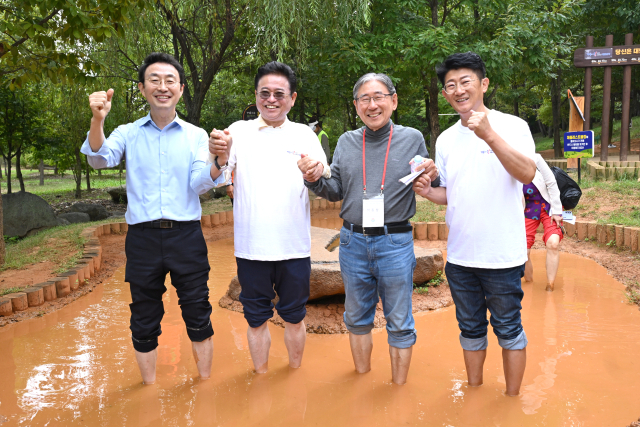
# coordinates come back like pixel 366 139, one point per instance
pixel 166 169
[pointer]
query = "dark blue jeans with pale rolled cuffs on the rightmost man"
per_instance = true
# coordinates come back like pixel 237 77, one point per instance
pixel 474 290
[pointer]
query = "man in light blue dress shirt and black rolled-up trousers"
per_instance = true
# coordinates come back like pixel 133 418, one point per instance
pixel 167 169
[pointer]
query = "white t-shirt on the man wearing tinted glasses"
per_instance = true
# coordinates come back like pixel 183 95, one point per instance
pixel 271 213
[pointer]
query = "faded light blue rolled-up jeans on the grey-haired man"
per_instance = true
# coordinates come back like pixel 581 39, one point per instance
pixel 381 266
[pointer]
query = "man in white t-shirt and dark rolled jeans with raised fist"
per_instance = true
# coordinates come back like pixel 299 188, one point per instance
pixel 483 161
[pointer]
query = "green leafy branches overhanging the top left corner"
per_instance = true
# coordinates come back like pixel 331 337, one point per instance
pixel 43 39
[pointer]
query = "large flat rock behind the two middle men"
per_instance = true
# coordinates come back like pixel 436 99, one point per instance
pixel 326 279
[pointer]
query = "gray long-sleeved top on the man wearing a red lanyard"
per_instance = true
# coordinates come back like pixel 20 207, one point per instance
pixel 346 172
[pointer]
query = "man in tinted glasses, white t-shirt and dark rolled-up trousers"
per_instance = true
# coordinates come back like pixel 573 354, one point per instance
pixel 272 226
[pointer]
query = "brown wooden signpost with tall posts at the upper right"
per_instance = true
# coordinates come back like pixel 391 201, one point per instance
pixel 608 56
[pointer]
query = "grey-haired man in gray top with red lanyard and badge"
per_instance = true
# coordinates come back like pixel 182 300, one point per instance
pixel 376 241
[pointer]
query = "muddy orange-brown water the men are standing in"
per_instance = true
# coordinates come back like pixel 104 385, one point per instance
pixel 76 366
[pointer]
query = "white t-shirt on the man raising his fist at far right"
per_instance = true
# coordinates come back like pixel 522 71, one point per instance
pixel 484 203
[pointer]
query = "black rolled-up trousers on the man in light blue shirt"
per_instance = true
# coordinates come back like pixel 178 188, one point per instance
pixel 151 254
